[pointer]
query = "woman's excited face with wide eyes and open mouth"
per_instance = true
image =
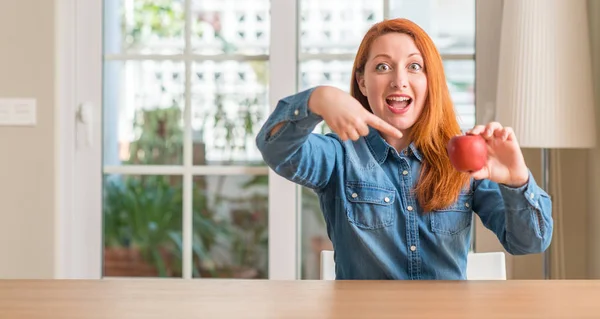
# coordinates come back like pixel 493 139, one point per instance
pixel 394 80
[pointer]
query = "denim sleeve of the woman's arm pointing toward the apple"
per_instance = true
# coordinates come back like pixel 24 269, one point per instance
pixel 294 151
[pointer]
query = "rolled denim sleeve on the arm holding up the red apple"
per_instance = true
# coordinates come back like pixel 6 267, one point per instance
pixel 520 217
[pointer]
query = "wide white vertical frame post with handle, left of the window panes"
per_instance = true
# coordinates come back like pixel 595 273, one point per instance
pixel 78 231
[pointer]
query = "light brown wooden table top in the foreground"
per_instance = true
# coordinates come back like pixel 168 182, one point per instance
pixel 167 298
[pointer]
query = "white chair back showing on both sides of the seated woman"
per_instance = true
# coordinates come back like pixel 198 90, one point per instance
pixel 480 266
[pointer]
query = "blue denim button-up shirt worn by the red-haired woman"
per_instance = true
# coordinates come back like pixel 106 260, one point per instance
pixel 376 225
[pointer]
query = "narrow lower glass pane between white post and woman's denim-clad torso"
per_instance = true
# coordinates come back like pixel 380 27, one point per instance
pixel 314 235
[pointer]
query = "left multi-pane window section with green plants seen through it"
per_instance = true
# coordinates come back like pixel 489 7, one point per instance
pixel 185 92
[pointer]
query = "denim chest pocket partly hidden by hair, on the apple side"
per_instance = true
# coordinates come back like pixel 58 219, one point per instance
pixel 454 219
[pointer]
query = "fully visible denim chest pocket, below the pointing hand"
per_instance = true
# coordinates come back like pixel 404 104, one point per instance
pixel 369 206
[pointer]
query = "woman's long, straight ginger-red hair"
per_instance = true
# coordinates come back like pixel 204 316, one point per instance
pixel 439 183
